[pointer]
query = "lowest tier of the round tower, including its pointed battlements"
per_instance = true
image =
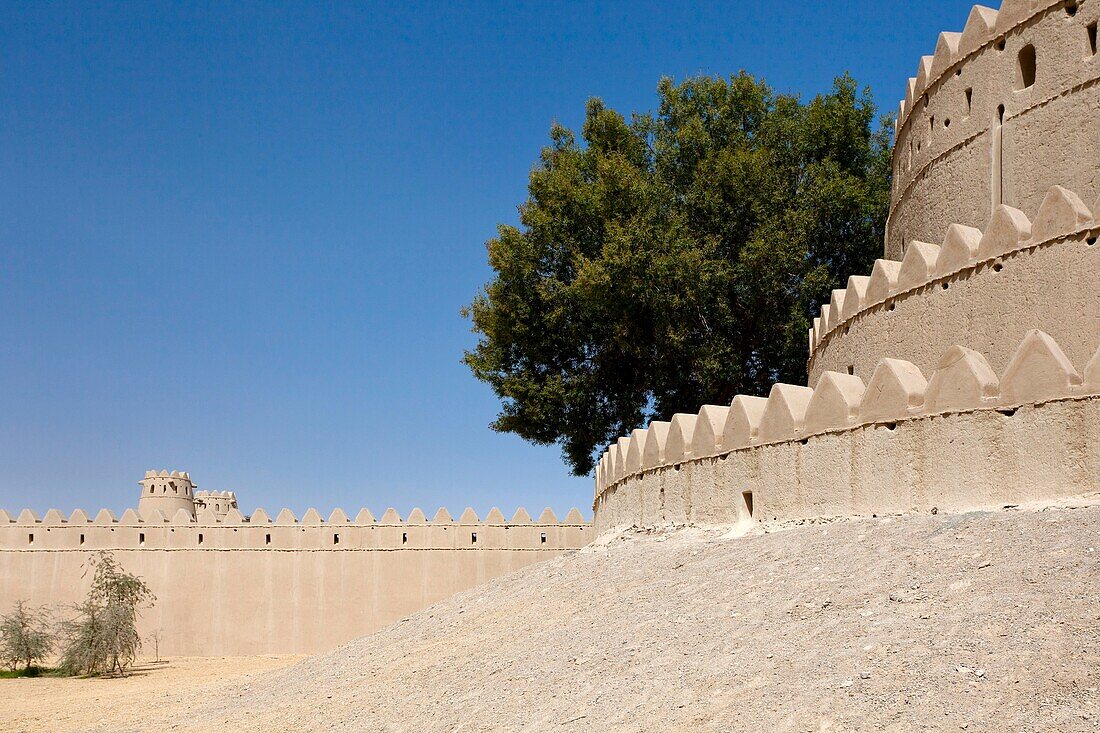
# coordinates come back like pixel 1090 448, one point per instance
pixel 850 447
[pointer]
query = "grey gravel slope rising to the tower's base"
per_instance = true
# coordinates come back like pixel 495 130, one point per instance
pixel 977 622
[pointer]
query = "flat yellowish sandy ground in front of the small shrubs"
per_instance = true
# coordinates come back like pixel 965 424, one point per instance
pixel 63 706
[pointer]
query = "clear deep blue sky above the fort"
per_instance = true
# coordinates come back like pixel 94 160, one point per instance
pixel 235 238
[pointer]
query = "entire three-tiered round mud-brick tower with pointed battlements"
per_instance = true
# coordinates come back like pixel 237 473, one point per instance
pixel 964 370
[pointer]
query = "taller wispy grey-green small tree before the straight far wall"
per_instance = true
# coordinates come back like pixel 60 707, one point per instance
pixel 104 637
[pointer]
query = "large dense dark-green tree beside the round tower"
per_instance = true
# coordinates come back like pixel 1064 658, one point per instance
pixel 677 259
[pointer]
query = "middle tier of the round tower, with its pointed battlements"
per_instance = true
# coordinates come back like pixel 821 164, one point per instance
pixel 986 288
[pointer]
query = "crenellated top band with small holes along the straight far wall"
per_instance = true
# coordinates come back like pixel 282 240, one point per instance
pixel 211 531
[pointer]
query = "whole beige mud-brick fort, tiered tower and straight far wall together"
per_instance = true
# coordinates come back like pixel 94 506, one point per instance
pixel 963 371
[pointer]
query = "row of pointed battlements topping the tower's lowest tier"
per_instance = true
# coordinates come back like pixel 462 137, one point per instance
pixel 1039 373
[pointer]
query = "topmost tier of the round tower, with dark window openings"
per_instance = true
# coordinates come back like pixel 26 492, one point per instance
pixel 997 115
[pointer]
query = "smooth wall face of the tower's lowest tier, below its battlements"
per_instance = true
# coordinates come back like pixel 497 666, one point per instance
pixel 953 463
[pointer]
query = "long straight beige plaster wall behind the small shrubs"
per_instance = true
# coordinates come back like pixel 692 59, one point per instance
pixel 237 595
